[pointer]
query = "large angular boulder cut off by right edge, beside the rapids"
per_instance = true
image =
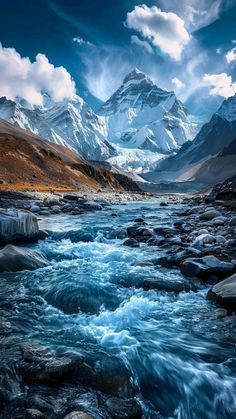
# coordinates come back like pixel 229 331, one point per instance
pixel 224 293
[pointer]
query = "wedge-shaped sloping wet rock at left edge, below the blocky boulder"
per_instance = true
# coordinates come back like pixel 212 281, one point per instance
pixel 14 258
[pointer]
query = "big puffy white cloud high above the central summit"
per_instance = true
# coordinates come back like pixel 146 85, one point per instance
pixel 165 30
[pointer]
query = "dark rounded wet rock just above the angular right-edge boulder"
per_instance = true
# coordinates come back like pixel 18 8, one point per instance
pixel 206 267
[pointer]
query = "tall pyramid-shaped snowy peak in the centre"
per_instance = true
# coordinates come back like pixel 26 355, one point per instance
pixel 145 122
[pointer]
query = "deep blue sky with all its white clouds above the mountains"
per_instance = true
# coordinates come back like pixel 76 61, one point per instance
pixel 187 46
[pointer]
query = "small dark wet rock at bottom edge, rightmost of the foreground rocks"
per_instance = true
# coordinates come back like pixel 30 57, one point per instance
pixel 123 409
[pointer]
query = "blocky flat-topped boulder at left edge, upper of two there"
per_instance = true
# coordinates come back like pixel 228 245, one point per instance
pixel 17 225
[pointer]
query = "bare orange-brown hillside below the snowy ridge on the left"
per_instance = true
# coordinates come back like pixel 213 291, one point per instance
pixel 28 162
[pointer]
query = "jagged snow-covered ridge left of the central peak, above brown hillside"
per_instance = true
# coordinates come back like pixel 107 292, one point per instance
pixel 70 123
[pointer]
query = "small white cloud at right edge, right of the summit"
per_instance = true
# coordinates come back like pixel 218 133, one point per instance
pixel 220 84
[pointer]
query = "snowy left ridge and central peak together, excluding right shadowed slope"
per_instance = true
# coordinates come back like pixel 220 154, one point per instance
pixel 137 126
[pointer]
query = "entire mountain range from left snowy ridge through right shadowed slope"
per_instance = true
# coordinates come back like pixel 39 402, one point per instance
pixel 140 128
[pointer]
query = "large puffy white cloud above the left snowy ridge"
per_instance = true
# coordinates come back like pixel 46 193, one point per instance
pixel 21 77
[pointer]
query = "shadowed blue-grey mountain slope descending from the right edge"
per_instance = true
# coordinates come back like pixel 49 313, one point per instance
pixel 210 157
